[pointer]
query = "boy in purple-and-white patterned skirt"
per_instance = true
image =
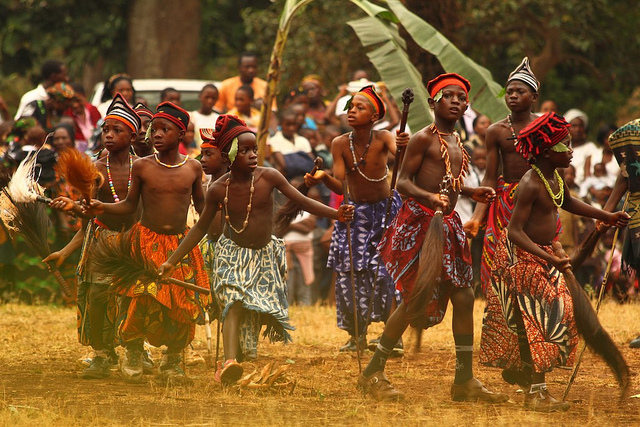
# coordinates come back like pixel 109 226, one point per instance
pixel 360 157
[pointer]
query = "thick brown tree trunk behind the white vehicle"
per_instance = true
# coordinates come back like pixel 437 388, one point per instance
pixel 163 38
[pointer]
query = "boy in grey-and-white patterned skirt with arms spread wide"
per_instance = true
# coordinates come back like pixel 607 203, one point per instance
pixel 249 266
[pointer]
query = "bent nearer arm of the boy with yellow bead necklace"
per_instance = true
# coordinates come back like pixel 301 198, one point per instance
pixel 526 195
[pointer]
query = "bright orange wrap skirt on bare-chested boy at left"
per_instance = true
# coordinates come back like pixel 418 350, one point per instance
pixel 164 313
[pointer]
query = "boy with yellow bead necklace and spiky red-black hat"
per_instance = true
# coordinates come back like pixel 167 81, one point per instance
pixel 533 330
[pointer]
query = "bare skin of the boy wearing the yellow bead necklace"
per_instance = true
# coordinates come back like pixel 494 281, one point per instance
pixel 534 217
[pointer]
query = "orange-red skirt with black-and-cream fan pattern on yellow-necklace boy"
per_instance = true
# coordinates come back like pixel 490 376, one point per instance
pixel 525 286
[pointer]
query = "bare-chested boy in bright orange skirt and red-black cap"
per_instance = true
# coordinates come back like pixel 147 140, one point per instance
pixel 164 314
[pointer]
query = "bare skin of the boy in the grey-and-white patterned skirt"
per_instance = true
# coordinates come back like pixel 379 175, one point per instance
pixel 258 232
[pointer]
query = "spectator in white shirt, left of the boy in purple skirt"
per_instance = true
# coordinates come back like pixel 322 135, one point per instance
pixel 291 153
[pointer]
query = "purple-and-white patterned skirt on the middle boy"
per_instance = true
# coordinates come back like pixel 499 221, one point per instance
pixel 367 228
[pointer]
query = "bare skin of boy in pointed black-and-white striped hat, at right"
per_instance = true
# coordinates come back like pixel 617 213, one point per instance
pixel 501 151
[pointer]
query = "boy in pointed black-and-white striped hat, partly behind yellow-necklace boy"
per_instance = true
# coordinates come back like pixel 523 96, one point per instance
pixel 521 94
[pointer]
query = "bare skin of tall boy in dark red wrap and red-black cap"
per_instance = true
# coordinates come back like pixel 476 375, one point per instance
pixel 420 177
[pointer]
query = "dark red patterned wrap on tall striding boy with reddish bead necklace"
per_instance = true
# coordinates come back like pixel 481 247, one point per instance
pixel 400 250
